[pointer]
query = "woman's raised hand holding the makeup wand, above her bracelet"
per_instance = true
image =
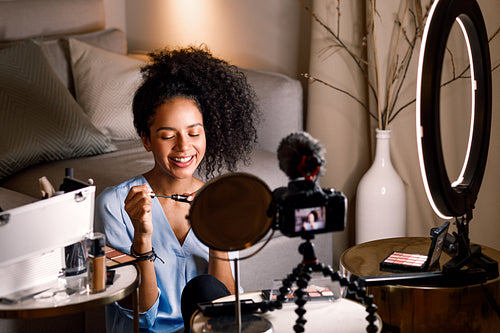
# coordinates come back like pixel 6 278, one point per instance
pixel 138 207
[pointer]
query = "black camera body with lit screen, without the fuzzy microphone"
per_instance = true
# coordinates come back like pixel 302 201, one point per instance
pixel 304 209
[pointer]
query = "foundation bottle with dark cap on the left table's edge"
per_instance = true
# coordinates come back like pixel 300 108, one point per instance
pixel 96 263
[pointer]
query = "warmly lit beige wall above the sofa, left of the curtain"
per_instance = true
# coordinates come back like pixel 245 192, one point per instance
pixel 258 34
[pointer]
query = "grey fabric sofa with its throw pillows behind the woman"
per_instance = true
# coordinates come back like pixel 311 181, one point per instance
pixel 66 84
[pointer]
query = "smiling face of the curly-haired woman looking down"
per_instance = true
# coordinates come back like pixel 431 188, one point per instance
pixel 177 137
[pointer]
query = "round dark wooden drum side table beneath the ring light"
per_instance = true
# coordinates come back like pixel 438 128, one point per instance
pixel 424 309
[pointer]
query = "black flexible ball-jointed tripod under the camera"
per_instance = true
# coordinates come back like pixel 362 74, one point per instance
pixel 302 275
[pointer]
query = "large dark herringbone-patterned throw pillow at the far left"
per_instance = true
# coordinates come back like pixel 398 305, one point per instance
pixel 39 119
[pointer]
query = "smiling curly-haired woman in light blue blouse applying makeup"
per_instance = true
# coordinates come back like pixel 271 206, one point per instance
pixel 195 113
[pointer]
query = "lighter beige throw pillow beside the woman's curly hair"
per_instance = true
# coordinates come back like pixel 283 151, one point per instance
pixel 105 84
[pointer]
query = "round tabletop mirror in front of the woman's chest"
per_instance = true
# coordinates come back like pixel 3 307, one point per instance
pixel 229 213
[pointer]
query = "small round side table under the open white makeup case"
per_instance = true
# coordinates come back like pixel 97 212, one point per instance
pixel 126 282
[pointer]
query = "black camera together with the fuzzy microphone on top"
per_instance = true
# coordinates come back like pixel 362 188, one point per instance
pixel 304 208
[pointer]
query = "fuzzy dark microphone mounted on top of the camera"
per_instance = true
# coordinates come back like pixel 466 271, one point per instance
pixel 301 155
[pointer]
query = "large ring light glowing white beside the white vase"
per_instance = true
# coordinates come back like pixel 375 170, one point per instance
pixel 453 199
